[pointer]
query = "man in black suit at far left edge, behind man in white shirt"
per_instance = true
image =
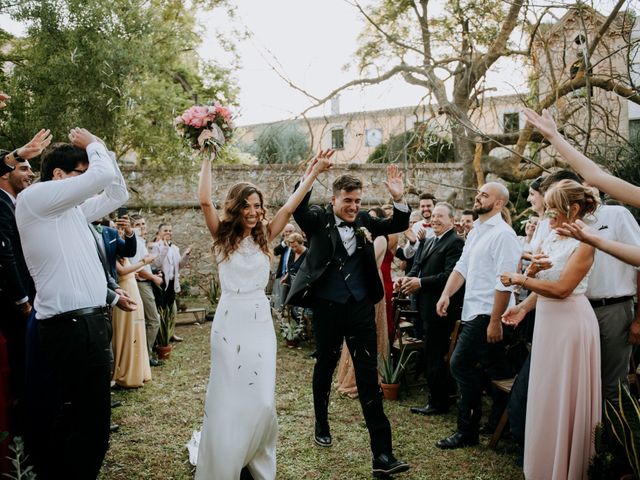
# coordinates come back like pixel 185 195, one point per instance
pixel 17 290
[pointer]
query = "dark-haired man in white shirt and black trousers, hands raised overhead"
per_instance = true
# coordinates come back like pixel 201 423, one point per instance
pixel 79 183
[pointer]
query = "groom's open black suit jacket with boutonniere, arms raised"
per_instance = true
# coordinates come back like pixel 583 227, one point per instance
pixel 318 223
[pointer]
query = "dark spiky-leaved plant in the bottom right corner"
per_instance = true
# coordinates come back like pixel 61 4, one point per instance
pixel 624 420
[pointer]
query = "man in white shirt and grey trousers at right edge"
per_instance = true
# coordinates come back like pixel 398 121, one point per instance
pixel 612 286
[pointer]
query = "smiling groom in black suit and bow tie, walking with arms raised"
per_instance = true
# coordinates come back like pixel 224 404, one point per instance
pixel 339 279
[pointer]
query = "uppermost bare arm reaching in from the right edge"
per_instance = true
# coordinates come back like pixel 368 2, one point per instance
pixel 592 173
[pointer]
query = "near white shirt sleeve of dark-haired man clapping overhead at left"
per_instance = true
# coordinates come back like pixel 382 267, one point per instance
pixel 57 196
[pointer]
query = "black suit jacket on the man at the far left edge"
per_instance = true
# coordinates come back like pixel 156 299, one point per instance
pixel 15 280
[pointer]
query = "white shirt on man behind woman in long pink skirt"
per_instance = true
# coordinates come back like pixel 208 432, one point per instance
pixel 611 278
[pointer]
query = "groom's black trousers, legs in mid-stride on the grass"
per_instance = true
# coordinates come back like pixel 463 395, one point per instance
pixel 355 323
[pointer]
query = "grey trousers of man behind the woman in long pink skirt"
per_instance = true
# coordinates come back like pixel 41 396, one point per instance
pixel 615 351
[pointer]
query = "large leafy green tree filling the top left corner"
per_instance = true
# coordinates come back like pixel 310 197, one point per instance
pixel 123 69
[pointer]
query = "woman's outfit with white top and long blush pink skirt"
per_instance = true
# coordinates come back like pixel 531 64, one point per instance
pixel 564 402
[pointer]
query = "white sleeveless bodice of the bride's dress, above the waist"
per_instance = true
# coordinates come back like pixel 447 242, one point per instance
pixel 246 270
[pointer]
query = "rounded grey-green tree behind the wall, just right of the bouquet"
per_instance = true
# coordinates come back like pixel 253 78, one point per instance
pixel 281 142
